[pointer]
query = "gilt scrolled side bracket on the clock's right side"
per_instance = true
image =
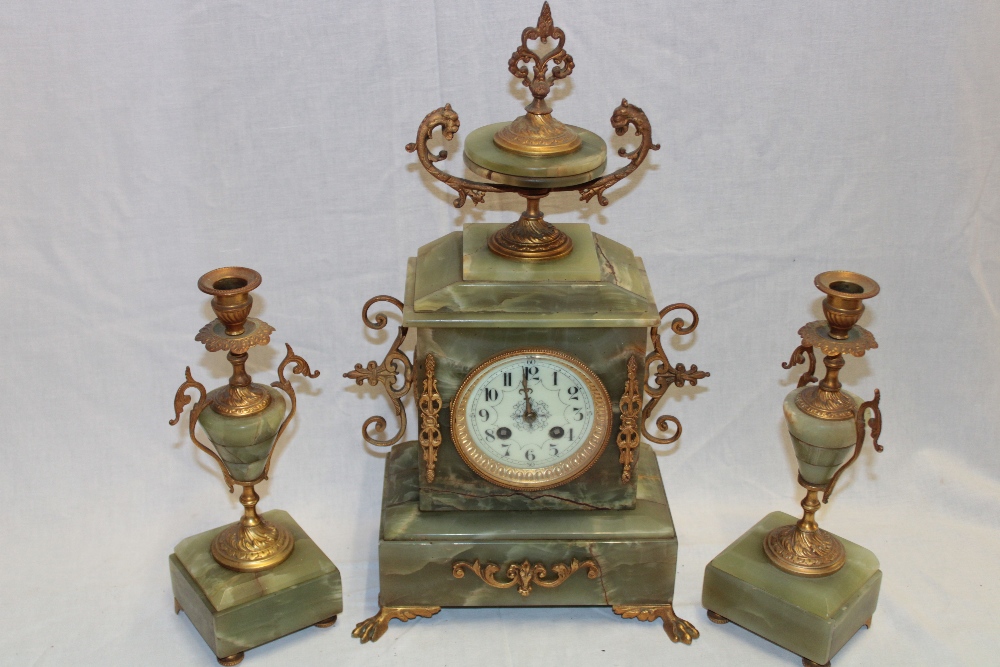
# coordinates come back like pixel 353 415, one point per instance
pixel 666 375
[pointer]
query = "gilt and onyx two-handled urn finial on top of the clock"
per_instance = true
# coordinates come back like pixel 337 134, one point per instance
pixel 558 159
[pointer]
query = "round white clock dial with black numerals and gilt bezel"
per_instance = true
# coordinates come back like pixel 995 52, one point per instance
pixel 531 419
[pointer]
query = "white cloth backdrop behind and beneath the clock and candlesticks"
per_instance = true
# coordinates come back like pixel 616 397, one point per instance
pixel 143 143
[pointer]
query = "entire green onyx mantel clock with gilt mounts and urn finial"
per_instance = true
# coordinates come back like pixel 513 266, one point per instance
pixel 528 485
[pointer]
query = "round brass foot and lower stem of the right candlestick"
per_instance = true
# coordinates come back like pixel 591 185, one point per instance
pixel 806 549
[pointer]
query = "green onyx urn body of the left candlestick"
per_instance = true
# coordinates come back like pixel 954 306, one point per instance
pixel 244 442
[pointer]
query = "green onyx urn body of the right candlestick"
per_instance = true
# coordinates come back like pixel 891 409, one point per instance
pixel 821 445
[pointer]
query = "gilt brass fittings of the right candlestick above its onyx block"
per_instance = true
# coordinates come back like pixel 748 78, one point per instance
pixel 804 548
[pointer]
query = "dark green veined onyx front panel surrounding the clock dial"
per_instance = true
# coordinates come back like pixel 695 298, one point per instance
pixel 458 351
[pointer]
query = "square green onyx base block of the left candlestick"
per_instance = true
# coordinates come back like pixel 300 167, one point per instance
pixel 236 611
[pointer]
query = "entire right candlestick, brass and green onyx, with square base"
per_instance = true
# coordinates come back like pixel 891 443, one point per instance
pixel 805 563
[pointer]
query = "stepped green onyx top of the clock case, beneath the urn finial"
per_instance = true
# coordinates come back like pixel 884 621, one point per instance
pixel 453 283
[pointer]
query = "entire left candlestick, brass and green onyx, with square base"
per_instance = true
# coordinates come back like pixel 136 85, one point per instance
pixel 244 421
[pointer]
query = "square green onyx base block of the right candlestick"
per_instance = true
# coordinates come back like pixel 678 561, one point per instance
pixel 811 617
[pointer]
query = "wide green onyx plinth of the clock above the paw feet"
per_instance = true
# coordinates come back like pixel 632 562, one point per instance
pixel 636 550
